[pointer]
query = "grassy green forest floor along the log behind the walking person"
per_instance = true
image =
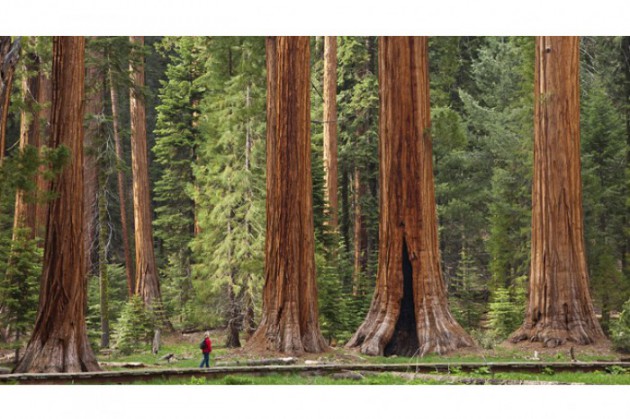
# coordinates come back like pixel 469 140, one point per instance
pixel 181 351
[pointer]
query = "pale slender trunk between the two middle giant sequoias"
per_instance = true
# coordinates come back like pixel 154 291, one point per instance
pixel 330 130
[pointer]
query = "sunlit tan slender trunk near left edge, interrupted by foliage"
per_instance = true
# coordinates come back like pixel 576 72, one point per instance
pixel 25 211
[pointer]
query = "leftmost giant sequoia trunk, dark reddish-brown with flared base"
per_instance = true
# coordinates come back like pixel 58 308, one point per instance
pixel 59 341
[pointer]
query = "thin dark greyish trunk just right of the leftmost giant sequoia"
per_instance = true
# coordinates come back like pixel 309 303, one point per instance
pixel 103 240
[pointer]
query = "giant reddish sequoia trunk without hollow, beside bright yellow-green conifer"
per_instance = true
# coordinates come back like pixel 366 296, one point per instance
pixel 290 316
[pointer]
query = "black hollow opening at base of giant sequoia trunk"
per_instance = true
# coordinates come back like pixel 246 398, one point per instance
pixel 404 341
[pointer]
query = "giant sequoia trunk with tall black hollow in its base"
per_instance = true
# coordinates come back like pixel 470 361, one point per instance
pixel 409 312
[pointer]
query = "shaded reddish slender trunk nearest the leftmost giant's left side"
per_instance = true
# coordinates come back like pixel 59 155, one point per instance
pixel 43 139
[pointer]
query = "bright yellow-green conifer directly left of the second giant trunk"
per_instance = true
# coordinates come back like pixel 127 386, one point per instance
pixel 230 189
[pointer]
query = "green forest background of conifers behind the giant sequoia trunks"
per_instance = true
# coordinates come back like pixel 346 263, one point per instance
pixel 205 101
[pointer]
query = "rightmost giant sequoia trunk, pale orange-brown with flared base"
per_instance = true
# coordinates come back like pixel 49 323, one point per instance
pixel 560 307
